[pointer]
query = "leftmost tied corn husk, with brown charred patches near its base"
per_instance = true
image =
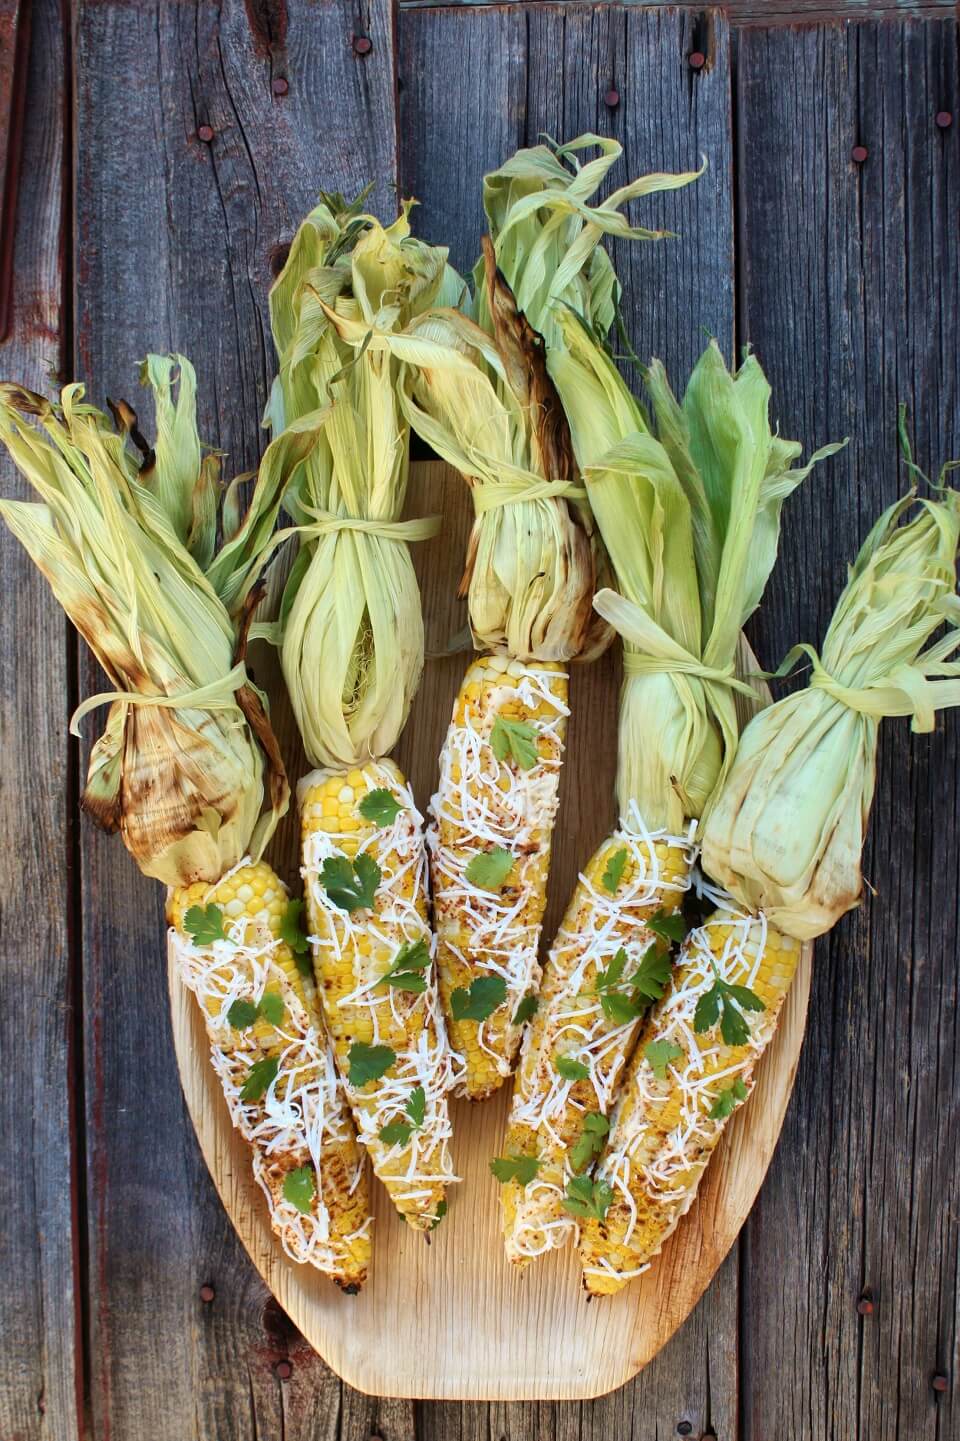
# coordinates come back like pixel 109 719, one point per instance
pixel 182 780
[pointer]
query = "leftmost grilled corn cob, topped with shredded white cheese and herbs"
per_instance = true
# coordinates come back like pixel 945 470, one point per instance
pixel 266 1038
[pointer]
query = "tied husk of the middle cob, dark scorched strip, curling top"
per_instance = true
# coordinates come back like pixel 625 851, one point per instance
pixel 481 394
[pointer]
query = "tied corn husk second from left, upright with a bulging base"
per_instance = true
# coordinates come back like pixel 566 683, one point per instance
pixel 351 626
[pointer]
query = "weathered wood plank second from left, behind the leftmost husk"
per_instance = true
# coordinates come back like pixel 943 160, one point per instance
pixel 194 166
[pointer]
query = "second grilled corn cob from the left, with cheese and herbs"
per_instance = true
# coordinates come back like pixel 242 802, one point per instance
pixel 370 999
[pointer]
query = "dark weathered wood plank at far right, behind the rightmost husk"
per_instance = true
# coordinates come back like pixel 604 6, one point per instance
pixel 850 292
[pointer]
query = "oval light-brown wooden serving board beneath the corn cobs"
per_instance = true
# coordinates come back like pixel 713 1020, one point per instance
pixel 452 1319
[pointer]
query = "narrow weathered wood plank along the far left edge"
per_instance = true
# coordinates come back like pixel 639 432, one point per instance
pixel 41 1367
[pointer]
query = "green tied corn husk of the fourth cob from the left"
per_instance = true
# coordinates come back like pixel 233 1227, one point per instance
pixel 691 519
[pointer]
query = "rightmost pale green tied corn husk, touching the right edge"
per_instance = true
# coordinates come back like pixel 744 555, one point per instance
pixel 788 831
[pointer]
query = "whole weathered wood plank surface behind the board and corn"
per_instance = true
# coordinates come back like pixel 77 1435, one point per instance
pixel 165 156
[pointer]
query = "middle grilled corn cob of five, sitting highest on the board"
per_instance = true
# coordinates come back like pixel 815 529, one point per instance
pixel 499 776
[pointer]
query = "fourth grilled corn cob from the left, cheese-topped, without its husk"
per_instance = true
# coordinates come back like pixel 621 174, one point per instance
pixel 632 878
